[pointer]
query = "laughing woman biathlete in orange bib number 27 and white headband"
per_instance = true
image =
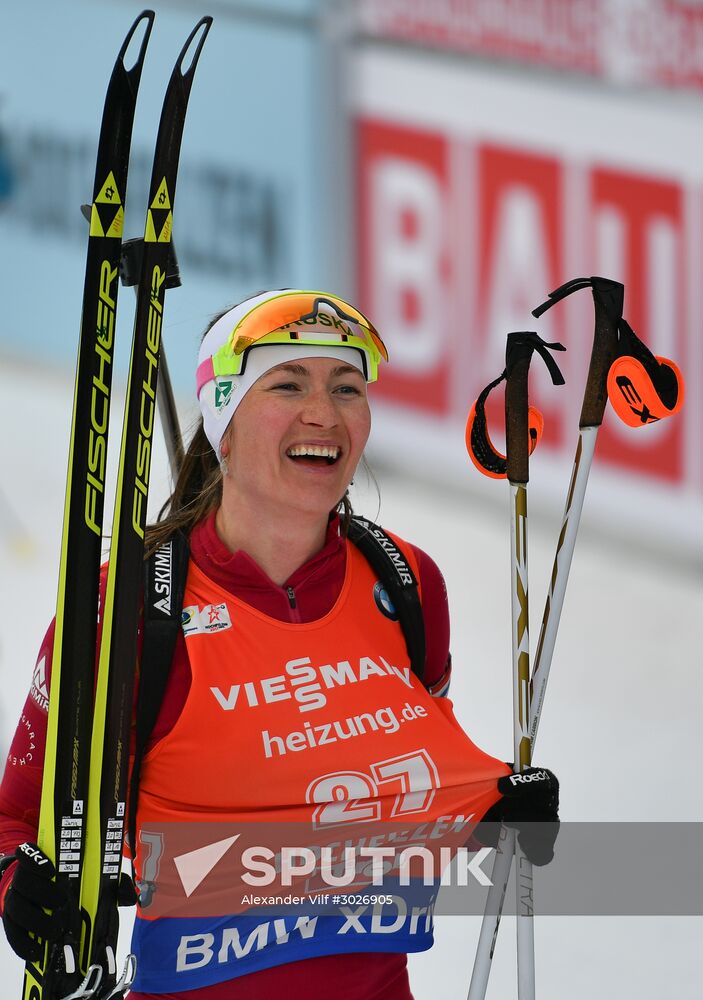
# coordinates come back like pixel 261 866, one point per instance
pixel 290 703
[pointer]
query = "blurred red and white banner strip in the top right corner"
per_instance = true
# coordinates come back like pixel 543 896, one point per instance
pixel 653 41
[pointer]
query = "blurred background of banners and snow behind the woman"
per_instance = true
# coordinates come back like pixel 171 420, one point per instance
pixel 445 165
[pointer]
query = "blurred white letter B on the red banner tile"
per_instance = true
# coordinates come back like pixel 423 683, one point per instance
pixel 408 236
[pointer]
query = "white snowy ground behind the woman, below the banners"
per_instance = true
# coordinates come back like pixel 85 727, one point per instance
pixel 620 727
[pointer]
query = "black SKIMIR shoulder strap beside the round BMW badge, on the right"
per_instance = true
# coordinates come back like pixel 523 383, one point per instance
pixel 386 559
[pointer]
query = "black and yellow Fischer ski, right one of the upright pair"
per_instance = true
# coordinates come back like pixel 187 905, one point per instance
pixel 114 693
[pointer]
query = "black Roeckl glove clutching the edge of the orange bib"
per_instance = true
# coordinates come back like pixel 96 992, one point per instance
pixel 529 804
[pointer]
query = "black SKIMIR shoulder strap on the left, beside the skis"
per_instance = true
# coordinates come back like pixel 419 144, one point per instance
pixel 164 587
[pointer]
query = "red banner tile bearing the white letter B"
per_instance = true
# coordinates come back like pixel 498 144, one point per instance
pixel 403 254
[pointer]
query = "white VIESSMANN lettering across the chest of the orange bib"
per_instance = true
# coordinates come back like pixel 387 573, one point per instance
pixel 304 683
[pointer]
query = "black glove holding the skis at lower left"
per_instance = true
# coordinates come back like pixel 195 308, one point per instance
pixel 31 892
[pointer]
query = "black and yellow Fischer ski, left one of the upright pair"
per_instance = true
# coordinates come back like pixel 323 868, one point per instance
pixel 66 771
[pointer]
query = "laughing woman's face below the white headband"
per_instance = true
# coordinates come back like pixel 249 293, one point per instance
pixel 297 436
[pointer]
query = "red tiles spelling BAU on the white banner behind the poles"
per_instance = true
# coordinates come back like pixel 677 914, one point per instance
pixel 460 240
